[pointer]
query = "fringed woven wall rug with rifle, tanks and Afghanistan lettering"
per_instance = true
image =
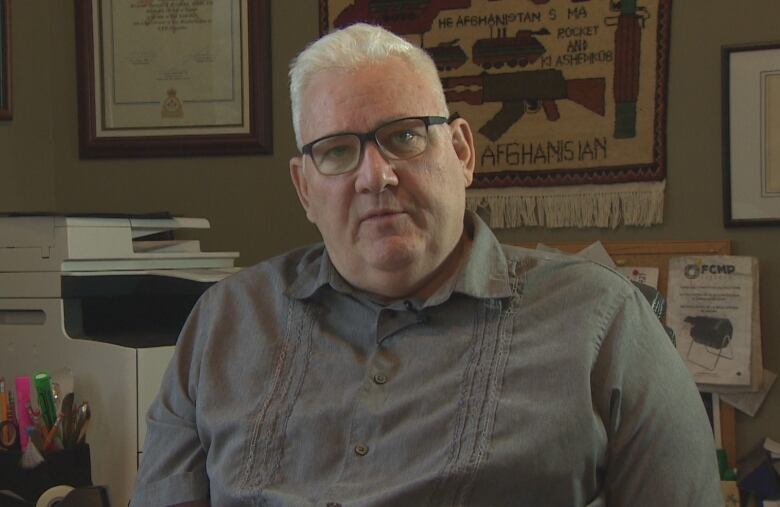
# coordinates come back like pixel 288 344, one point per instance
pixel 566 99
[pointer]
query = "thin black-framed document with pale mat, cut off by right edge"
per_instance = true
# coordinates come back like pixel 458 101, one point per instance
pixel 751 134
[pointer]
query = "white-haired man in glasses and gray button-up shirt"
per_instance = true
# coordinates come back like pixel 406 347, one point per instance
pixel 413 360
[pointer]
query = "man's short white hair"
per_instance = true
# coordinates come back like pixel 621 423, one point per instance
pixel 349 49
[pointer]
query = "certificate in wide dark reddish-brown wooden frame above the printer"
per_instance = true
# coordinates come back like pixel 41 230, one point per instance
pixel 159 79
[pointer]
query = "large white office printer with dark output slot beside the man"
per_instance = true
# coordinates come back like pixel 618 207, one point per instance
pixel 104 296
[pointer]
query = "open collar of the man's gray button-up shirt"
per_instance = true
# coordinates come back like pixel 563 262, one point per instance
pixel 484 274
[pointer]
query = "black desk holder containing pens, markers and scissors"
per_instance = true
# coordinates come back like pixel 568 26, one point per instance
pixel 71 467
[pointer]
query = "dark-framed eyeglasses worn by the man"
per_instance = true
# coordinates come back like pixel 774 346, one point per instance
pixel 397 140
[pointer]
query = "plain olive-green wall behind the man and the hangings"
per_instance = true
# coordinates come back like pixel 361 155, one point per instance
pixel 252 205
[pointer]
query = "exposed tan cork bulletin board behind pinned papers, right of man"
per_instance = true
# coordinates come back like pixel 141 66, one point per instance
pixel 657 254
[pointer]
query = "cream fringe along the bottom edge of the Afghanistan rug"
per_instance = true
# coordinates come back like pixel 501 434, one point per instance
pixel 606 206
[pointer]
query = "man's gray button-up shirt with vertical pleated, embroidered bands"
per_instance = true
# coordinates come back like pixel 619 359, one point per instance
pixel 530 379
